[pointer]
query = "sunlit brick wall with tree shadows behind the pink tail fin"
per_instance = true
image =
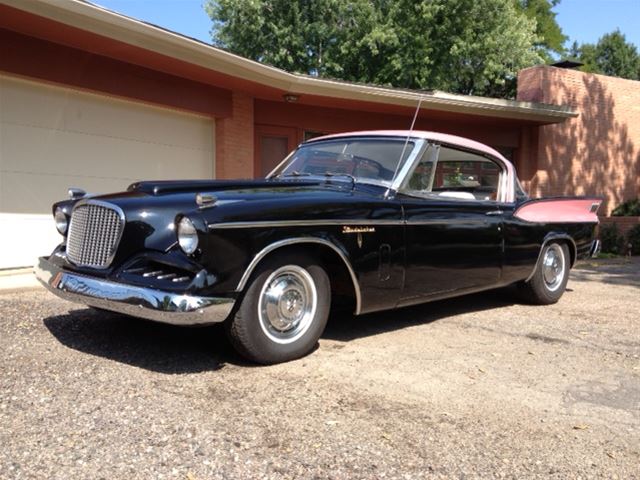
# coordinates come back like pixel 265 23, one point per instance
pixel 597 153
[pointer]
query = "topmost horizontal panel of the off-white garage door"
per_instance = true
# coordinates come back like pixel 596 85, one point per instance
pixel 73 111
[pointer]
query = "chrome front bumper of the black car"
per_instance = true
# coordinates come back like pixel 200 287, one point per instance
pixel 160 306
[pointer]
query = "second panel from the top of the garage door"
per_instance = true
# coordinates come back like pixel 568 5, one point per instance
pixel 28 149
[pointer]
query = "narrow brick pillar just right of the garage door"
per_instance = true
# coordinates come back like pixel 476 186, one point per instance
pixel 234 139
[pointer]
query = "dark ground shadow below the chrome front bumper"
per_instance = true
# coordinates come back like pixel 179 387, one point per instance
pixel 153 346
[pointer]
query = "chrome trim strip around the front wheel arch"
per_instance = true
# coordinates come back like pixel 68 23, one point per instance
pixel 322 243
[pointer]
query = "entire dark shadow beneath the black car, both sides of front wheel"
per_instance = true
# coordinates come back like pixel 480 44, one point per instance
pixel 171 349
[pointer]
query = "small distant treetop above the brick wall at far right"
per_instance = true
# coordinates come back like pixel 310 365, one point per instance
pixel 611 55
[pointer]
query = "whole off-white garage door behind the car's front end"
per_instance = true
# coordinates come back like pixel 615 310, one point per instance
pixel 52 138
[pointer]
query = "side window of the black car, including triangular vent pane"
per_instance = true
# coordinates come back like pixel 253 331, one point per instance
pixel 457 174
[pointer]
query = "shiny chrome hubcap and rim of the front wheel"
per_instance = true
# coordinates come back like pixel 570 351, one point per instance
pixel 287 305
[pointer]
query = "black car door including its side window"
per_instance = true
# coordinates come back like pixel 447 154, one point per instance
pixel 453 225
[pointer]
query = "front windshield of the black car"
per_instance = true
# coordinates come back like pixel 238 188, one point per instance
pixel 367 160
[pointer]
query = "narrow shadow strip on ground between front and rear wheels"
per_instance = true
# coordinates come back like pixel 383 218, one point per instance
pixel 347 327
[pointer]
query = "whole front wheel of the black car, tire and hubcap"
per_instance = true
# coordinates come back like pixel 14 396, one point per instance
pixel 284 310
